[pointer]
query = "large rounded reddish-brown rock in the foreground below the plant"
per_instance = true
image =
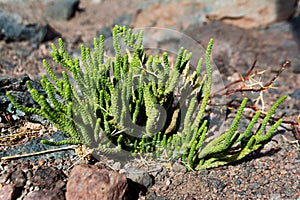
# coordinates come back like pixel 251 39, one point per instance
pixel 88 181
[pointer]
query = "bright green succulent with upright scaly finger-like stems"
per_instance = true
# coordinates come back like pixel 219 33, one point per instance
pixel 141 103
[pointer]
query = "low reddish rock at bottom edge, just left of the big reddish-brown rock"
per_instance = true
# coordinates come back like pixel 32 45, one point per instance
pixel 46 195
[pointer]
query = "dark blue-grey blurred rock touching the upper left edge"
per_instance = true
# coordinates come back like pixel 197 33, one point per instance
pixel 13 27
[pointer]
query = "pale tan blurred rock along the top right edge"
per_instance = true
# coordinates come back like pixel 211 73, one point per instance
pixel 249 14
